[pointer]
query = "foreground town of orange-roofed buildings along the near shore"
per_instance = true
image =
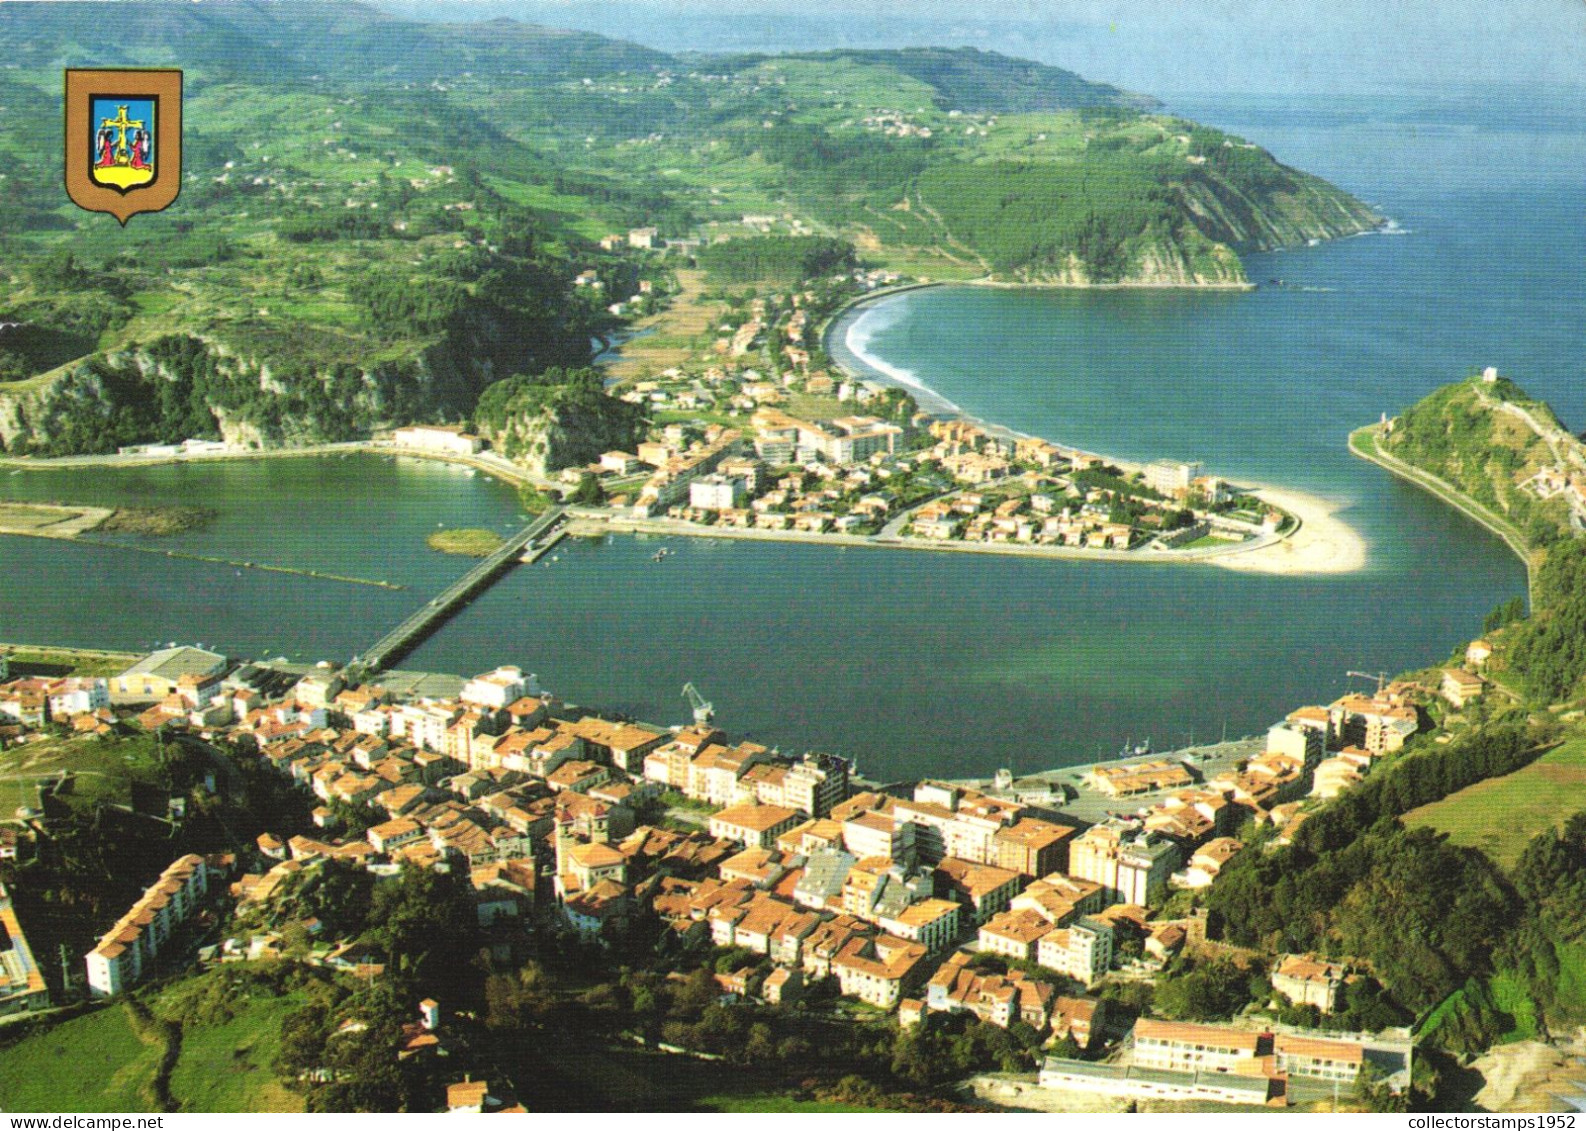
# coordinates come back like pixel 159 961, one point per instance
pixel 607 829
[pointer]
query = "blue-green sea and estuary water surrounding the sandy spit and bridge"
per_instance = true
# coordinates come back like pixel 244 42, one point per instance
pixel 957 665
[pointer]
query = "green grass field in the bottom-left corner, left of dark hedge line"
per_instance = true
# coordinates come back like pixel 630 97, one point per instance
pixel 93 1064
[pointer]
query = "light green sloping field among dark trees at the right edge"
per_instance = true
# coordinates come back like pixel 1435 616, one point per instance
pixel 1503 815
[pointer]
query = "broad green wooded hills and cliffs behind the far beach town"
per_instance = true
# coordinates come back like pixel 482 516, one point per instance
pixel 393 213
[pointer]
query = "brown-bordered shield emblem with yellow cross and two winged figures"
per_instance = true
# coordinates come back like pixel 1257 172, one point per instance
pixel 125 140
